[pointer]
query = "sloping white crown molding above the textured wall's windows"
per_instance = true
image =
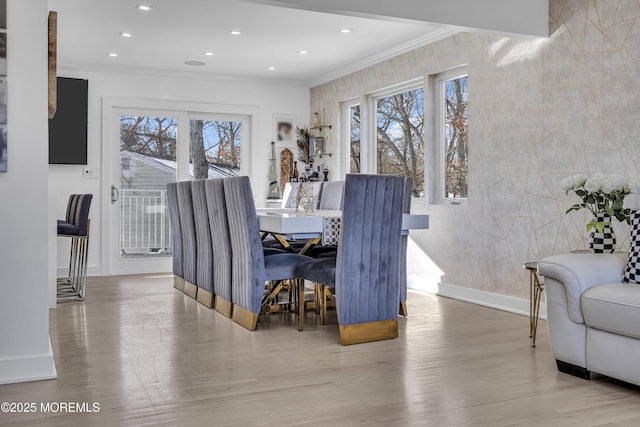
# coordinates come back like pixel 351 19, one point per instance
pixel 419 42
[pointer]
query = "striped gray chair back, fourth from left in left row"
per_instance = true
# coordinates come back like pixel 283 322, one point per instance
pixel 220 239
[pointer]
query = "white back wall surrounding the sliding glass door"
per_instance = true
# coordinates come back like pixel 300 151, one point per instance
pixel 269 100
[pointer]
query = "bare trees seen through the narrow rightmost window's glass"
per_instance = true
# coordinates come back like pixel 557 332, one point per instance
pixel 456 103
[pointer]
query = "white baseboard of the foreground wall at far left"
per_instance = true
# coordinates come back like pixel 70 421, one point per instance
pixel 30 368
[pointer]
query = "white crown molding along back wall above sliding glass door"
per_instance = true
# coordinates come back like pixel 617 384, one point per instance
pixel 173 74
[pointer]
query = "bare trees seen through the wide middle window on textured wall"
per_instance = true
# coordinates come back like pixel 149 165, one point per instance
pixel 400 140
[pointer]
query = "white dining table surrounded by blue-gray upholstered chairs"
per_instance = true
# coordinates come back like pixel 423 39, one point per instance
pixel 286 225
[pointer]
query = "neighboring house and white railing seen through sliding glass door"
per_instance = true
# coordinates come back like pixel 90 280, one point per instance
pixel 144 214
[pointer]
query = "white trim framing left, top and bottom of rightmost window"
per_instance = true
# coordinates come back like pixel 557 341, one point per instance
pixel 439 128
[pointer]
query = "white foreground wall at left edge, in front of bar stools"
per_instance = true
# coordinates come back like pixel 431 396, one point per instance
pixel 25 352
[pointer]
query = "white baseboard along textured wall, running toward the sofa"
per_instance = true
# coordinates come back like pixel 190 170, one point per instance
pixel 475 296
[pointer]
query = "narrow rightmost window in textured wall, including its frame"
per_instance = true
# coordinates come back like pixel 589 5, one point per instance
pixel 452 140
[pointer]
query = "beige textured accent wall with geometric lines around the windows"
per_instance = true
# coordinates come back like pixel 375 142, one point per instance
pixel 539 111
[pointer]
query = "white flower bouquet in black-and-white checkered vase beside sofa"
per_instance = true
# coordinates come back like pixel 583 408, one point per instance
pixel 603 195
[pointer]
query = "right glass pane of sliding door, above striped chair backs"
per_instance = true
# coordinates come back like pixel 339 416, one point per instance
pixel 215 148
